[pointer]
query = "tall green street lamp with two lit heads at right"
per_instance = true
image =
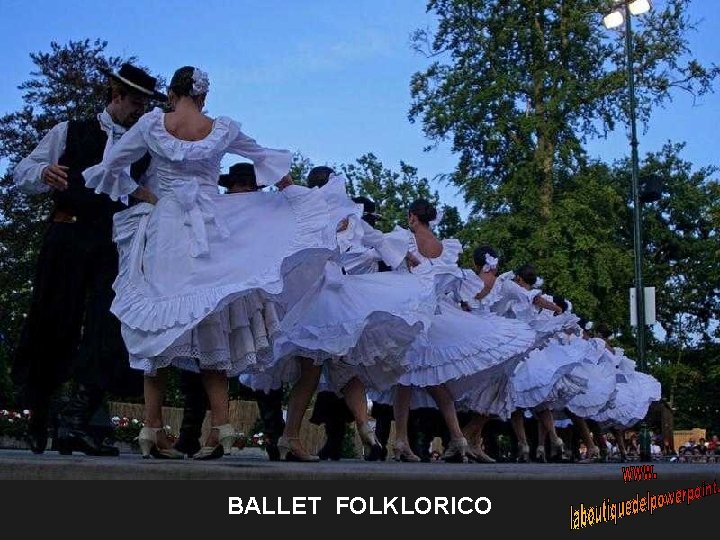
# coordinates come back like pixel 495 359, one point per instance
pixel 622 13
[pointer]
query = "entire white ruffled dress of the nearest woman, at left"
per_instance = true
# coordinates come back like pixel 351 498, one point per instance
pixel 199 270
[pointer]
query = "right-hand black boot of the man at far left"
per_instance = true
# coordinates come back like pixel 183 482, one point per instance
pixel 73 427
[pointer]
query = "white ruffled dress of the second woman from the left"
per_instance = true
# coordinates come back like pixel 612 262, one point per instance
pixel 355 321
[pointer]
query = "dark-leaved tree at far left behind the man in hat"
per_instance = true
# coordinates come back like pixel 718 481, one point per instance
pixel 69 82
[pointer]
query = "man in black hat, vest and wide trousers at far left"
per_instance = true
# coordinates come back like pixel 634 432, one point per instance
pixel 70 330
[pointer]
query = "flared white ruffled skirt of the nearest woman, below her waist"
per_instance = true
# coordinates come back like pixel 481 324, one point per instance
pixel 197 280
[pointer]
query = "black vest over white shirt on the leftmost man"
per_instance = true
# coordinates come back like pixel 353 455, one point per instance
pixel 84 147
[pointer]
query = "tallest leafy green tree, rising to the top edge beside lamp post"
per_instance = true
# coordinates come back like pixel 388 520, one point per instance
pixel 519 86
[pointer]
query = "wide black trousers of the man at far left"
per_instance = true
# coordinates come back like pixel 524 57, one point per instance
pixel 69 331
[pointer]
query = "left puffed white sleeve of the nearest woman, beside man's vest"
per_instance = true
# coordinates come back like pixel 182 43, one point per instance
pixel 110 176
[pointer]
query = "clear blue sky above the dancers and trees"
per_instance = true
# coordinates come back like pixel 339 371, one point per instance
pixel 327 78
